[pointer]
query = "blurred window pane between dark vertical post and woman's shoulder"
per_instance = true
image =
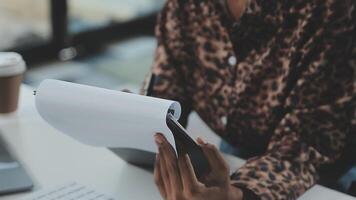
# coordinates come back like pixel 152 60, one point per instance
pixel 90 14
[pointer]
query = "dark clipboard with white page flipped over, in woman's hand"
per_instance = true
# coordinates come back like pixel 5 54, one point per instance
pixel 121 121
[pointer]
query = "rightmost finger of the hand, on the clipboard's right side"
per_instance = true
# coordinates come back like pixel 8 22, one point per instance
pixel 219 168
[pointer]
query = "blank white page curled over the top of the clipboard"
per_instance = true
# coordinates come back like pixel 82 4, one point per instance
pixel 102 117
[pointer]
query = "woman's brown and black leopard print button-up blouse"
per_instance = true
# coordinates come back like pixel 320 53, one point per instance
pixel 279 83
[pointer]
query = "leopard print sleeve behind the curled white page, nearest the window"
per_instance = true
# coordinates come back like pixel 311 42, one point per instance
pixel 168 67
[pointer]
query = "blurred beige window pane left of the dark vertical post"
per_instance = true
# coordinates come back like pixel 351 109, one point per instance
pixel 21 26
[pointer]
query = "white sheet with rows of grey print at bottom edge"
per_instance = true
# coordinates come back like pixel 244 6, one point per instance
pixel 71 191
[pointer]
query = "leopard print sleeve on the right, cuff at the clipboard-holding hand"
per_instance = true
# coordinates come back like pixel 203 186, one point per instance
pixel 320 117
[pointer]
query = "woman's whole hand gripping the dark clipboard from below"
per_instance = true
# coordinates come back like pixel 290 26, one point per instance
pixel 176 180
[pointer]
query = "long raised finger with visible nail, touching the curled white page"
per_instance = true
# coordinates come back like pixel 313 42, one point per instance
pixel 171 164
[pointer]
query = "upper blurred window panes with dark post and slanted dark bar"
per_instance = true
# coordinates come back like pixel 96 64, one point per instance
pixel 49 30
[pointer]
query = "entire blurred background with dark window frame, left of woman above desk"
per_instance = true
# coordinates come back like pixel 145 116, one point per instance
pixel 106 43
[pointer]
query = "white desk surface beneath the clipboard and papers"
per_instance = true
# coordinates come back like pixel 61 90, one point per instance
pixel 52 159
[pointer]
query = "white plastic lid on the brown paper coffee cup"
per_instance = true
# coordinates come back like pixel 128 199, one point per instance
pixel 11 64
